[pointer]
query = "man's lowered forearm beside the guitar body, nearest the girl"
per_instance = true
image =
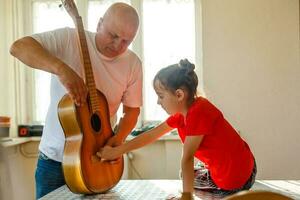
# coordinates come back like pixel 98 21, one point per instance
pixel 125 126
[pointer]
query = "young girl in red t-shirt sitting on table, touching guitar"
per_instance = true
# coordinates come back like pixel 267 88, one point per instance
pixel 204 132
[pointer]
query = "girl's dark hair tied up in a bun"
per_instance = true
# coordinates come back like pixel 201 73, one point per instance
pixel 179 76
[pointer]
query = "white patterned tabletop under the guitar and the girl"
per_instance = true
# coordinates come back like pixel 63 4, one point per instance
pixel 161 189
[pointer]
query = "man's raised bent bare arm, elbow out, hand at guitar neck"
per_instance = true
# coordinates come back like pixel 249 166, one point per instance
pixel 31 53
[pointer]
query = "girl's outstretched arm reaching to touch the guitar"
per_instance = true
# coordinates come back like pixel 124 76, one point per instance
pixel 111 153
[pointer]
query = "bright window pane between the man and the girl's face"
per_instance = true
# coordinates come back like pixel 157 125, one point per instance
pixel 168 36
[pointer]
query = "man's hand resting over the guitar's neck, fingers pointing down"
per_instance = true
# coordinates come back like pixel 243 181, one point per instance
pixel 74 84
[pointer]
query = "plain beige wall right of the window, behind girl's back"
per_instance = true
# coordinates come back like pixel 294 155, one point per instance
pixel 252 73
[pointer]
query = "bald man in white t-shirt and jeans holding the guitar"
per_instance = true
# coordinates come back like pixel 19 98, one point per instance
pixel 117 72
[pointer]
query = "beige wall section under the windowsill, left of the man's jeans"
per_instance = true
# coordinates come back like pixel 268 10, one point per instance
pixel 17 171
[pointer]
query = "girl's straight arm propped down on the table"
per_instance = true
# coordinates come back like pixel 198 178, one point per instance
pixel 190 146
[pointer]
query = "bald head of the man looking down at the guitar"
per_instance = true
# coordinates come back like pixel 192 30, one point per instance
pixel 116 29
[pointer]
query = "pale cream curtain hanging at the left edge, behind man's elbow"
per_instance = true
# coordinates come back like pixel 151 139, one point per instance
pixel 15 78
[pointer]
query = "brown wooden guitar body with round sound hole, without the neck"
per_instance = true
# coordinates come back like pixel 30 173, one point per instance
pixel 85 134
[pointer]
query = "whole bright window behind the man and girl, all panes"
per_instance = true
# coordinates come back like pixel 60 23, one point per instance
pixel 164 38
